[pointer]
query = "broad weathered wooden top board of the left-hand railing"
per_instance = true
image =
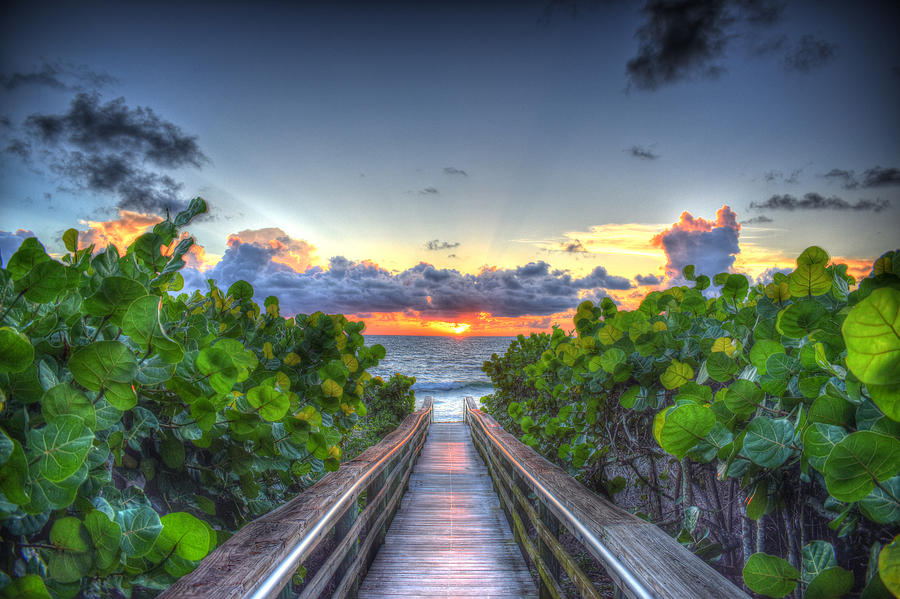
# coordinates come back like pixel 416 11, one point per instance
pixel 236 568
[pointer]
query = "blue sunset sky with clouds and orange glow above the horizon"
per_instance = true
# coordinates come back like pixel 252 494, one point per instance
pixel 457 168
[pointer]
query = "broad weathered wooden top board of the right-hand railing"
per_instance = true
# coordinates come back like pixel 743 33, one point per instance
pixel 665 567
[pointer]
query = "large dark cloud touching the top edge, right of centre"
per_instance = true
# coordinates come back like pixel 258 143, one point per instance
pixel 678 40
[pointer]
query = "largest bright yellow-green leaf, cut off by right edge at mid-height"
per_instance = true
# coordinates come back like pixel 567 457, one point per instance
pixel 872 334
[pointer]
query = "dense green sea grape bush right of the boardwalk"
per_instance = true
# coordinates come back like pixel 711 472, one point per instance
pixel 788 394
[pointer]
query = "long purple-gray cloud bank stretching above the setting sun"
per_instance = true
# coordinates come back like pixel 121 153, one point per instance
pixel 363 287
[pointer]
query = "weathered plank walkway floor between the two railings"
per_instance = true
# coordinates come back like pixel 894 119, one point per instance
pixel 450 537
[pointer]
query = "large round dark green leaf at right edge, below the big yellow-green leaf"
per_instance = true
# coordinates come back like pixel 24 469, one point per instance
pixel 859 460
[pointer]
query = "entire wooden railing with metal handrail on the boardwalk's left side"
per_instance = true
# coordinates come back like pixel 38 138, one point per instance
pixel 262 557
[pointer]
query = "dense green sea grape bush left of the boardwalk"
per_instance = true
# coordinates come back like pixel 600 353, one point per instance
pixel 138 429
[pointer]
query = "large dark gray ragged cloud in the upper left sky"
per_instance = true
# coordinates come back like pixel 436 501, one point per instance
pixel 107 148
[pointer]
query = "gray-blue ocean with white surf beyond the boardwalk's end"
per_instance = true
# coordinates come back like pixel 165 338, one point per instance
pixel 446 368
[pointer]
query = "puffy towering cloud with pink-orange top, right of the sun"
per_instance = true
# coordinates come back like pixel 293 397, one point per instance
pixel 711 246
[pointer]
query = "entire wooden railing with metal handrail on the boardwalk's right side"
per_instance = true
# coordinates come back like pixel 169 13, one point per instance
pixel 641 559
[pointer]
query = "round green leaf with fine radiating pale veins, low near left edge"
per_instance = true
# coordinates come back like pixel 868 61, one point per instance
pixel 58 449
